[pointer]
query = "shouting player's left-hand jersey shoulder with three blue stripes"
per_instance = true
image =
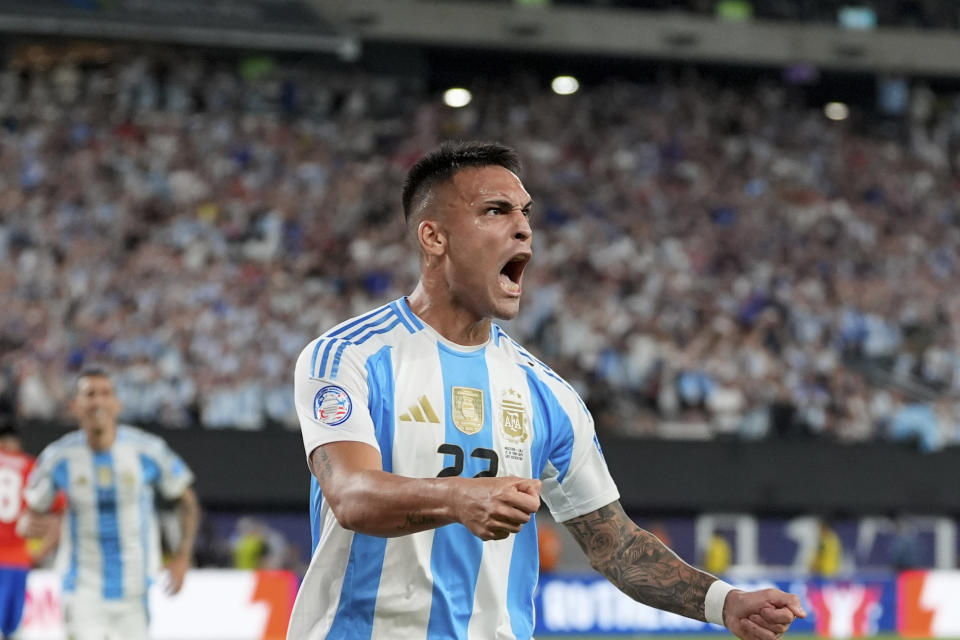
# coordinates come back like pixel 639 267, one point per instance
pixel 358 338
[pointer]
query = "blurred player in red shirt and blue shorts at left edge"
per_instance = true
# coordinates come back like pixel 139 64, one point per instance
pixel 17 555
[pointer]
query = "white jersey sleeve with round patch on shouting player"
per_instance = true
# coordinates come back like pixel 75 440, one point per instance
pixel 335 407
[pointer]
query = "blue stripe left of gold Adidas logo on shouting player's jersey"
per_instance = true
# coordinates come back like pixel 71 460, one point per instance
pixel 361 582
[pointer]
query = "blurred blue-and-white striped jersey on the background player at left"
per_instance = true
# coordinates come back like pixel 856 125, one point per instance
pixel 110 542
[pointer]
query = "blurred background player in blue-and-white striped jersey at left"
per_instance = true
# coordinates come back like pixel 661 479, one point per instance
pixel 110 543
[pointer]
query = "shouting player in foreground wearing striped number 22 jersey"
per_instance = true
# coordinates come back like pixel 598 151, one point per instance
pixel 432 437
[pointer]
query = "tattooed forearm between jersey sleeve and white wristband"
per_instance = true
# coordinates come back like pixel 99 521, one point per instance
pixel 638 563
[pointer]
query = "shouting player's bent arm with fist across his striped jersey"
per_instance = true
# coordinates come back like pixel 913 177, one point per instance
pixel 366 499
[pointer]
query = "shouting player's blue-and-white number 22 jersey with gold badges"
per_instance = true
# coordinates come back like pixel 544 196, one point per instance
pixel 436 409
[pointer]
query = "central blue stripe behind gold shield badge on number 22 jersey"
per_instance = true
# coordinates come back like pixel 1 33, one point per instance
pixel 456 554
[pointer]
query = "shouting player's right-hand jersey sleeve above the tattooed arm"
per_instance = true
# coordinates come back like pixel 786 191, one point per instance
pixel 576 479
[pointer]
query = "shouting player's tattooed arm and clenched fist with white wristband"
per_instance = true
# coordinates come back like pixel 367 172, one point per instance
pixel 646 570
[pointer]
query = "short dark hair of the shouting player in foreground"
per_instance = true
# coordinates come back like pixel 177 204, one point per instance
pixel 444 161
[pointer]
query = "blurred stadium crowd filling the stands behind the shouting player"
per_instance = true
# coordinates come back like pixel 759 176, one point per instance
pixel 708 261
